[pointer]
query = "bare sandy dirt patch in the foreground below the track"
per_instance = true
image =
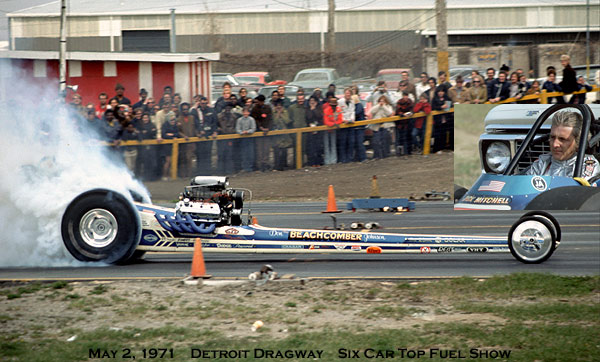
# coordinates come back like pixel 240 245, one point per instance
pixel 283 306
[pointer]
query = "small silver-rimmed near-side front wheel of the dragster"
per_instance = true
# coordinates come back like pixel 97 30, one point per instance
pixel 532 239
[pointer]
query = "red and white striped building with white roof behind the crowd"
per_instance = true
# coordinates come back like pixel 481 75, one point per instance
pixel 96 72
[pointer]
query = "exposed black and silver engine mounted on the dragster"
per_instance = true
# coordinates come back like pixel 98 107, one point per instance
pixel 209 199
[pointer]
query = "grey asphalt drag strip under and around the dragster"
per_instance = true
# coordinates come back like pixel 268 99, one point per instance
pixel 578 254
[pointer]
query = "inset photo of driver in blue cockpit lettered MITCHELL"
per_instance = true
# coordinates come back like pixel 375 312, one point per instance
pixel 527 157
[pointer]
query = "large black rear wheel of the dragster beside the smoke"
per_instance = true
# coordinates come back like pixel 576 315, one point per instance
pixel 101 225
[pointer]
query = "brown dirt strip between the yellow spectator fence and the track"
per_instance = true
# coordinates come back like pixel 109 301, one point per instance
pixel 397 177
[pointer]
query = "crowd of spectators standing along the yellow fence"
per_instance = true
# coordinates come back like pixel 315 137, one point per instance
pixel 116 119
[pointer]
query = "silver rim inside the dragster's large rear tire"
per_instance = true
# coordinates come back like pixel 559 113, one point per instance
pixel 98 228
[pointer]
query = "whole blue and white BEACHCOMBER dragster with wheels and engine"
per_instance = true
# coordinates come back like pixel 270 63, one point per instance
pixel 103 225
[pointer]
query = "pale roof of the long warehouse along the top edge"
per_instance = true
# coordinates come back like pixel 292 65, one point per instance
pixel 131 7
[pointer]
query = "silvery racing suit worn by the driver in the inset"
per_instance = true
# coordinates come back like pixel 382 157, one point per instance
pixel 547 166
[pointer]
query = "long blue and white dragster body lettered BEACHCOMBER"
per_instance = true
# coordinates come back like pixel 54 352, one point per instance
pixel 260 239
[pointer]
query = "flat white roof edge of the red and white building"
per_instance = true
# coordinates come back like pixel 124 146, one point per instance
pixel 113 56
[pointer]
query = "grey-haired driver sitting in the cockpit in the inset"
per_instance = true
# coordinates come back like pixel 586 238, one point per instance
pixel 564 143
